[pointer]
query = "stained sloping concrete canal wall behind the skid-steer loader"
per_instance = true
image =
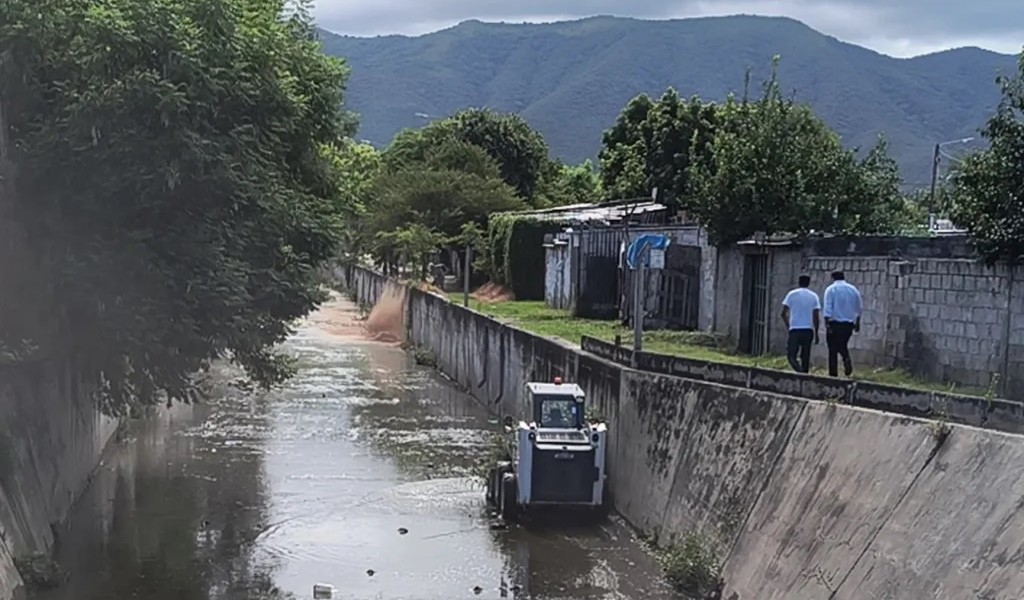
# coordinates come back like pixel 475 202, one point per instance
pixel 808 500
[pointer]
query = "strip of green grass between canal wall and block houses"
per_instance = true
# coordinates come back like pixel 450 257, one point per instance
pixel 537 318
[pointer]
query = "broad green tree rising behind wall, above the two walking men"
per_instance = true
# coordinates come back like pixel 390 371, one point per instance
pixel 776 167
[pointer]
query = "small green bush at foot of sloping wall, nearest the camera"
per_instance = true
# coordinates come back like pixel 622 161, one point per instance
pixel 693 566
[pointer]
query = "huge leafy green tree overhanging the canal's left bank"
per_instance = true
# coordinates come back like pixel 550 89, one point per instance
pixel 174 180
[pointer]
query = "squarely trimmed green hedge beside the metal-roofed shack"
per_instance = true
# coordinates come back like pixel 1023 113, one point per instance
pixel 517 253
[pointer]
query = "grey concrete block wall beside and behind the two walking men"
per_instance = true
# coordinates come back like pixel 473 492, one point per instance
pixel 942 319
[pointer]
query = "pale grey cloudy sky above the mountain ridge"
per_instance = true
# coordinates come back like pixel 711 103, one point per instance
pixel 900 28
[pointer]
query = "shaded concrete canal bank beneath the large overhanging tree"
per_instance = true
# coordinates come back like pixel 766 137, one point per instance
pixel 52 438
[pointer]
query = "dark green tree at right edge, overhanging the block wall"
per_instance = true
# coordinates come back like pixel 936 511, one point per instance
pixel 988 198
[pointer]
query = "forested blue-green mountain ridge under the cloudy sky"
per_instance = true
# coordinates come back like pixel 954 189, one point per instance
pixel 571 79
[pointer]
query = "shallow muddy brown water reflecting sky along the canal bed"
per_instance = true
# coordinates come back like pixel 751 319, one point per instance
pixel 357 476
